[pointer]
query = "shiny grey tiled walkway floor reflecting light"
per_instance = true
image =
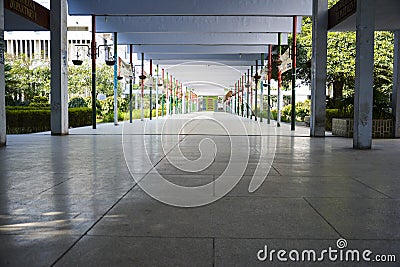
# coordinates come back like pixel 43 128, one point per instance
pixel 93 198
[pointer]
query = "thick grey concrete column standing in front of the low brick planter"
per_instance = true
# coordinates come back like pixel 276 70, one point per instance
pixel 363 97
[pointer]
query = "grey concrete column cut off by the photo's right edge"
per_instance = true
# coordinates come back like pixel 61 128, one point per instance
pixel 396 84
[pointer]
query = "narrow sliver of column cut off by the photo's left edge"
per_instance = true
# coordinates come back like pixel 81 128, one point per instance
pixel 2 82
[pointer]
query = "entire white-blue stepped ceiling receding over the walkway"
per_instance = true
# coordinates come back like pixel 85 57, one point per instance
pixel 208 45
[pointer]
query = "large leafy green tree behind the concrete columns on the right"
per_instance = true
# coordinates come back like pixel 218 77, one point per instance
pixel 341 59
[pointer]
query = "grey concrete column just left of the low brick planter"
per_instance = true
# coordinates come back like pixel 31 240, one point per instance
pixel 318 68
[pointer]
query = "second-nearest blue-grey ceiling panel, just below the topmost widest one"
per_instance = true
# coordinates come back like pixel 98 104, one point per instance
pixel 195 24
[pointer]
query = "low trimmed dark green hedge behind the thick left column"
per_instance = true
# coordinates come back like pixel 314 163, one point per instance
pixel 27 120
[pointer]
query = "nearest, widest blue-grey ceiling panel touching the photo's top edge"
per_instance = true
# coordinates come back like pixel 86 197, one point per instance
pixel 191 7
